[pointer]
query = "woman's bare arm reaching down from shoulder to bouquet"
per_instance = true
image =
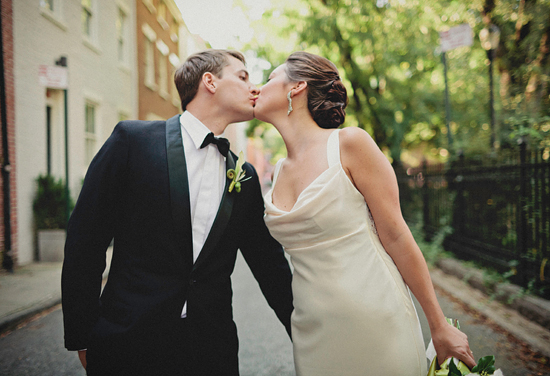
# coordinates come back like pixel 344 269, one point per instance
pixel 373 176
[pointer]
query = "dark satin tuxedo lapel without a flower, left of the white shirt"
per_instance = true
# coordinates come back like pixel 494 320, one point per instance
pixel 179 185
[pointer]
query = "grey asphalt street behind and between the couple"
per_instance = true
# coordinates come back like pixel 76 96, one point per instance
pixel 265 349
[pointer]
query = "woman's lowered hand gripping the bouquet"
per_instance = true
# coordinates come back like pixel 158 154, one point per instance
pixel 450 342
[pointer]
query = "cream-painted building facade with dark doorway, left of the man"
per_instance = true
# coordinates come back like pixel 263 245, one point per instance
pixel 87 47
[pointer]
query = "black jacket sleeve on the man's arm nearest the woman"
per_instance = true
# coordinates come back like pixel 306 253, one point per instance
pixel 265 256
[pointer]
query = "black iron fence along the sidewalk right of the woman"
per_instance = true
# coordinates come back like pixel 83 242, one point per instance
pixel 498 209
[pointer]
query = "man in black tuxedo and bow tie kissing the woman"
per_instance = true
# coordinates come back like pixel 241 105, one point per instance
pixel 160 190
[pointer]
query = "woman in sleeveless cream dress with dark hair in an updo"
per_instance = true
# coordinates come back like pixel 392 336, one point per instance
pixel 334 206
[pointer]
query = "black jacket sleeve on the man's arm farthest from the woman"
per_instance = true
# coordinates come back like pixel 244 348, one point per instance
pixel 89 232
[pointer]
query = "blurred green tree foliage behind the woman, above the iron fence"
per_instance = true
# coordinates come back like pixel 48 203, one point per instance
pixel 388 54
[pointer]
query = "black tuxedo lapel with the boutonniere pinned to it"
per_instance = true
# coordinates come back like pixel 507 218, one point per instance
pixel 222 218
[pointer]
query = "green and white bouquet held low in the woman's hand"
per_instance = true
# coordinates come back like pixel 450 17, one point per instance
pixel 454 367
